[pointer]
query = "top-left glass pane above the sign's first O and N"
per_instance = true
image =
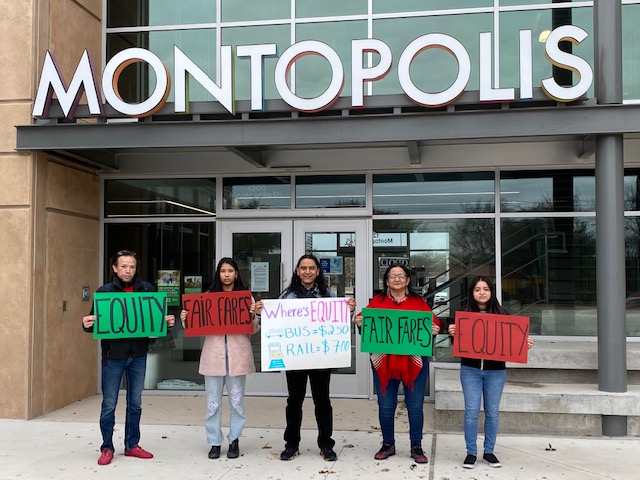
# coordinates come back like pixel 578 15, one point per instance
pixel 140 13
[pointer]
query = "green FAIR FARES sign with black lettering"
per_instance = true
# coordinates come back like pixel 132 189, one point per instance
pixel 402 332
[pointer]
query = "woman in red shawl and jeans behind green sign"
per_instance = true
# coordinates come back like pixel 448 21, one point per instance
pixel 391 370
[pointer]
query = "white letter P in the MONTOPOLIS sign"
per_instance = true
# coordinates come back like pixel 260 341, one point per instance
pixel 360 74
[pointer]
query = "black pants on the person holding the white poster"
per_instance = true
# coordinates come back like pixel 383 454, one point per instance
pixel 297 386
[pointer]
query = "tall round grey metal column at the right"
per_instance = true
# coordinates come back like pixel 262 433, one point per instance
pixel 610 252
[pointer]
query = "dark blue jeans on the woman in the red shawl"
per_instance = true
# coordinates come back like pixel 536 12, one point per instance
pixel 414 400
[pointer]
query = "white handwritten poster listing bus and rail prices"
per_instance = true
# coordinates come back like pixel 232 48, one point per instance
pixel 302 334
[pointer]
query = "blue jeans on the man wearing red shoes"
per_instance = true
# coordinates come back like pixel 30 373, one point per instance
pixel 112 372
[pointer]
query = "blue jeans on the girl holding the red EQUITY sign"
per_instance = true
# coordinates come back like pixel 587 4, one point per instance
pixel 477 384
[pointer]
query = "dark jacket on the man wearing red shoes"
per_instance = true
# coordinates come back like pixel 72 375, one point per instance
pixel 123 348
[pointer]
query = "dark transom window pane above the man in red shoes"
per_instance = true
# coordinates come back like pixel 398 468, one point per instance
pixel 160 197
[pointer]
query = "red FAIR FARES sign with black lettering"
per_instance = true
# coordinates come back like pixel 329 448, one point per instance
pixel 218 313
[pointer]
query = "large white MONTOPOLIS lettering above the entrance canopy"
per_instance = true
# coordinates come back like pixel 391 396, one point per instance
pixel 85 79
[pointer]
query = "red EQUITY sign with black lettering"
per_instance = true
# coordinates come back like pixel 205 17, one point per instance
pixel 491 337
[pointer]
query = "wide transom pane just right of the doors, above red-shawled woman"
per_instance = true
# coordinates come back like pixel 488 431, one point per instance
pixel 435 193
